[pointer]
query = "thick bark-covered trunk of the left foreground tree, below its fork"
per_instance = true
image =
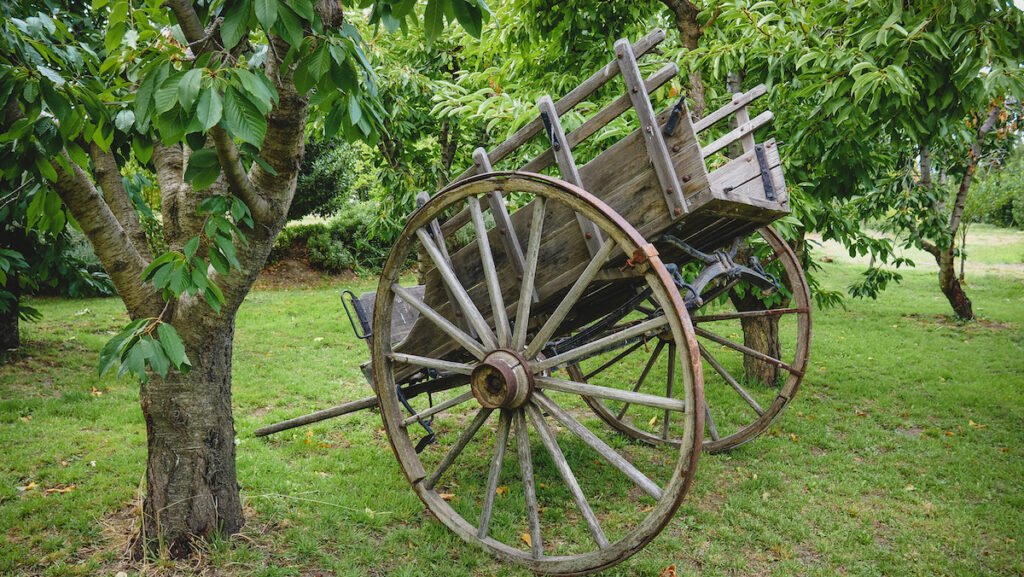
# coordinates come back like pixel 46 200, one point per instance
pixel 193 489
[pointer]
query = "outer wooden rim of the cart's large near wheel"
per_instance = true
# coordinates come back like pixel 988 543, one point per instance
pixel 626 237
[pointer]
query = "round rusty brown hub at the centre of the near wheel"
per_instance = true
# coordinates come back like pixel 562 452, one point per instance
pixel 502 381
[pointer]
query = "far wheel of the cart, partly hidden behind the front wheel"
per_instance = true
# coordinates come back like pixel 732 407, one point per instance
pixel 749 380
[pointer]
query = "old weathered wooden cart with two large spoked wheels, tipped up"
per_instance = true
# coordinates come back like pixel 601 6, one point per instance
pixel 590 312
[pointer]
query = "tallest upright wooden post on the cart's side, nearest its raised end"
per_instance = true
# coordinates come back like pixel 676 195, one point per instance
pixel 658 151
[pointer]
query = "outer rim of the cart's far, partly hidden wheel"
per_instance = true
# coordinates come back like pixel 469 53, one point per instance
pixel 801 296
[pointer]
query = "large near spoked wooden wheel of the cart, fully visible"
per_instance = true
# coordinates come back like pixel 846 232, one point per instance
pixel 521 466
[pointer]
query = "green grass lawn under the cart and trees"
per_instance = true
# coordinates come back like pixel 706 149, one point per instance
pixel 904 455
